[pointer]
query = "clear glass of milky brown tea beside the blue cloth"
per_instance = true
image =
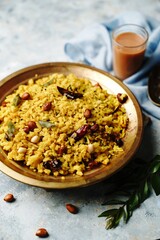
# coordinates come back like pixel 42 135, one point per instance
pixel 129 45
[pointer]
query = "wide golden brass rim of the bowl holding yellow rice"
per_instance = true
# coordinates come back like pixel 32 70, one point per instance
pixel 132 139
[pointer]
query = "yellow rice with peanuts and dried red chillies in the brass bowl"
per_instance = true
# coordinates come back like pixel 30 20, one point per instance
pixel 69 136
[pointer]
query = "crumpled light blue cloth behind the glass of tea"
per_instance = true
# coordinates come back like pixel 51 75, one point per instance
pixel 92 46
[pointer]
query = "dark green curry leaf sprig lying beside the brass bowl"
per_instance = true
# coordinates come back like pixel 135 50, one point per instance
pixel 142 180
